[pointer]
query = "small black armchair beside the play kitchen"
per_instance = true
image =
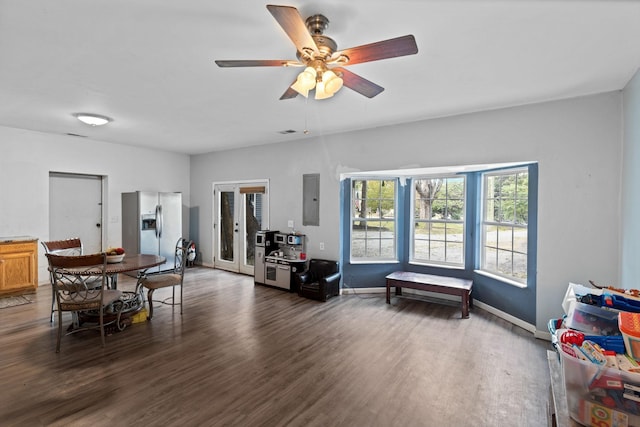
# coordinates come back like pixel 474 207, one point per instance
pixel 321 281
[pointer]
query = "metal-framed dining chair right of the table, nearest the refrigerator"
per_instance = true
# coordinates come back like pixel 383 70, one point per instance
pixel 172 278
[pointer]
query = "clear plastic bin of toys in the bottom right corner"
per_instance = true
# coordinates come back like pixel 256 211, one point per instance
pixel 600 396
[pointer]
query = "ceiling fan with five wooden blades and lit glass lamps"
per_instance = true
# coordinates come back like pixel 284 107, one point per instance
pixel 324 64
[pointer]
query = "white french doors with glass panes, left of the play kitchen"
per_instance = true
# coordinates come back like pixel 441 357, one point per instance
pixel 241 210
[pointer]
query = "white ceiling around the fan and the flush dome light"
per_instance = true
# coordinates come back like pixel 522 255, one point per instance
pixel 148 64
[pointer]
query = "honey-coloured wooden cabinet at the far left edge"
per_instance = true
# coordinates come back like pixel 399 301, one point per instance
pixel 18 265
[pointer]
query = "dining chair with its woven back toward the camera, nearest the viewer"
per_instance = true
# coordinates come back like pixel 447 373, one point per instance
pixel 73 294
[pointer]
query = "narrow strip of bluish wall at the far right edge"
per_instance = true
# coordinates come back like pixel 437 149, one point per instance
pixel 630 199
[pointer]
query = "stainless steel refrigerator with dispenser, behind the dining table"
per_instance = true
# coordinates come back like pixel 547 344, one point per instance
pixel 152 224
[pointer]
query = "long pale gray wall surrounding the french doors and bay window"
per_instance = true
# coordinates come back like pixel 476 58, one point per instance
pixel 577 142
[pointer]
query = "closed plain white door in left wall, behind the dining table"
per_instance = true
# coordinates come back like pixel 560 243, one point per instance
pixel 75 209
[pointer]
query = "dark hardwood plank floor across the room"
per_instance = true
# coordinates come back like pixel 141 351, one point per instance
pixel 245 355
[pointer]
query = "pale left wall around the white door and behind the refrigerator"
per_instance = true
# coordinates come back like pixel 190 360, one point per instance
pixel 27 157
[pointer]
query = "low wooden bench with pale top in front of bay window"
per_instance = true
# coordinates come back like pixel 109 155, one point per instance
pixel 432 283
